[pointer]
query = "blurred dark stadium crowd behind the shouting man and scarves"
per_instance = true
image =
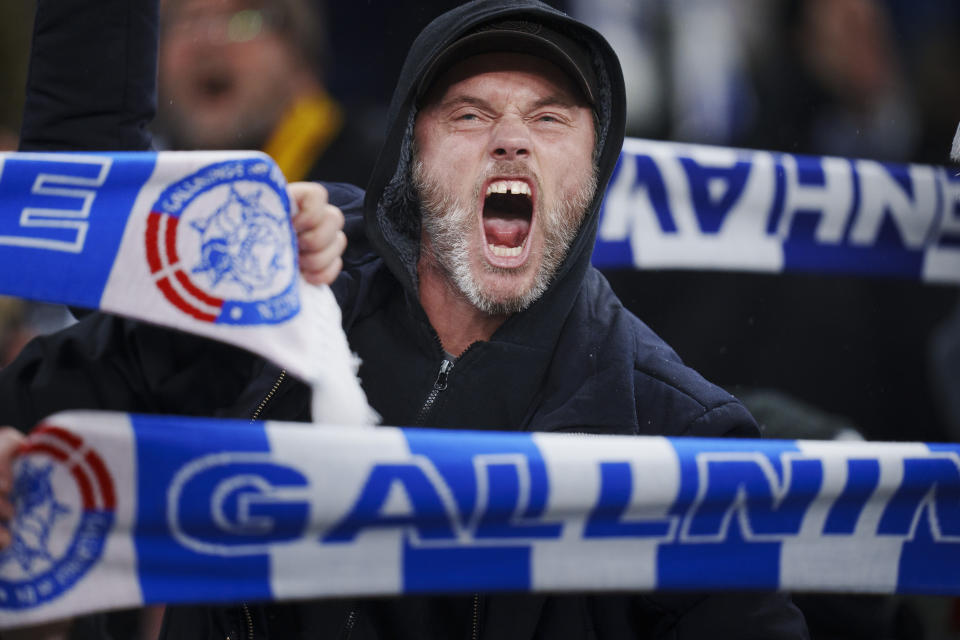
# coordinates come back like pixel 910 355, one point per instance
pixel 813 356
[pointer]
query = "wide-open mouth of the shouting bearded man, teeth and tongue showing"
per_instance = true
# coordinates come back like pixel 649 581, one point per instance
pixel 507 216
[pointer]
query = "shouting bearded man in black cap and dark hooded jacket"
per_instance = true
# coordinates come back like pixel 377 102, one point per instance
pixel 467 292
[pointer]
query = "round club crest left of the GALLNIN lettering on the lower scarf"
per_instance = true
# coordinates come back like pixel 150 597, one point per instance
pixel 64 504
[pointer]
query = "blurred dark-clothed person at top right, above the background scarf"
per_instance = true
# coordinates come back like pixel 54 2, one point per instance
pixel 835 84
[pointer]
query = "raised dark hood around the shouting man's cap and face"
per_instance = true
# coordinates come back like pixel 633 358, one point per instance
pixel 391 210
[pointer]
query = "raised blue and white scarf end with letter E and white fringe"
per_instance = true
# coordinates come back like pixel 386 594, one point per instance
pixel 199 242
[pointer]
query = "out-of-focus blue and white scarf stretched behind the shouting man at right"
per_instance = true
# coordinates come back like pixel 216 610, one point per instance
pixel 685 206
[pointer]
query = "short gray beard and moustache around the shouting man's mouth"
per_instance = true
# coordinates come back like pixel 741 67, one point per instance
pixel 449 223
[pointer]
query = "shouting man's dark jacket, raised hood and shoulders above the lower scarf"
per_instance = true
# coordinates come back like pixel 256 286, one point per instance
pixel 575 360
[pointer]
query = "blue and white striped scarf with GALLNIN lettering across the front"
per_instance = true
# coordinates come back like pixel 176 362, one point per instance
pixel 117 510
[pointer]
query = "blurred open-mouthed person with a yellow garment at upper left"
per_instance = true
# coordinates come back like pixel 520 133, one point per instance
pixel 249 74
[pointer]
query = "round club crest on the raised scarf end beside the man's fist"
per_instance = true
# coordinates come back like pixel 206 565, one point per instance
pixel 220 246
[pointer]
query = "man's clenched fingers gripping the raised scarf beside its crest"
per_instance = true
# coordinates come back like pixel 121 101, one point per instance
pixel 320 237
